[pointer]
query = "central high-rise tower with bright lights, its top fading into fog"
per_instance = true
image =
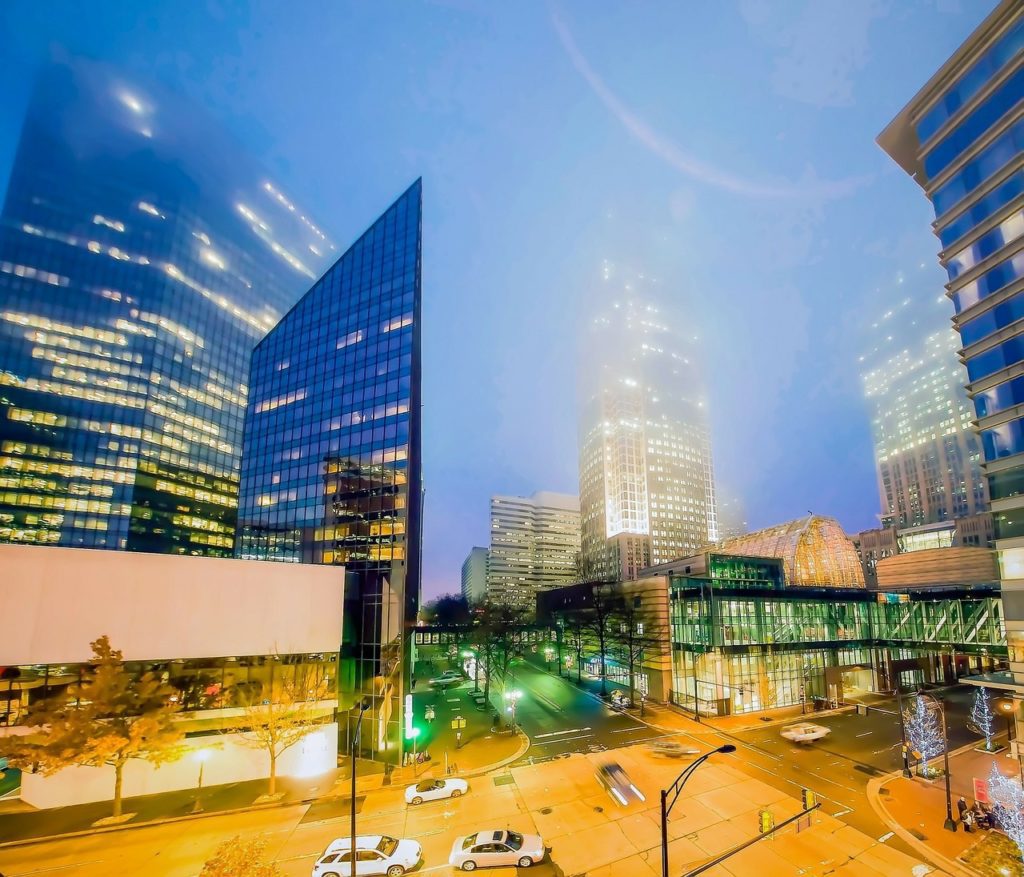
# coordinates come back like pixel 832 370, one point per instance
pixel 647 480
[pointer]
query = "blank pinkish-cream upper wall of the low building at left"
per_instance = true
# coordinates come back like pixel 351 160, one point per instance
pixel 57 601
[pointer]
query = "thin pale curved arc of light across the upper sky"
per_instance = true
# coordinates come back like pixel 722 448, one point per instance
pixel 809 187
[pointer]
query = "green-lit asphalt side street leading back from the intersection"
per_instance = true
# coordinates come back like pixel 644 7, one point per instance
pixel 560 719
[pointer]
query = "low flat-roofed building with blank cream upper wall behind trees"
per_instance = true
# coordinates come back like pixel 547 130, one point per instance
pixel 218 631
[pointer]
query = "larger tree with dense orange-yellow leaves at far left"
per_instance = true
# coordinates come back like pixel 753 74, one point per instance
pixel 108 720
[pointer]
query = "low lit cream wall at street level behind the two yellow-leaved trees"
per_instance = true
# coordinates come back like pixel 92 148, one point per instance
pixel 228 761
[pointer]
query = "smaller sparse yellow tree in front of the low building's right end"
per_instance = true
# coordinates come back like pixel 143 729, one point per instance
pixel 281 718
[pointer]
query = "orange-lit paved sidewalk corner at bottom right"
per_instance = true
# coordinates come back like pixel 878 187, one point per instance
pixel 916 809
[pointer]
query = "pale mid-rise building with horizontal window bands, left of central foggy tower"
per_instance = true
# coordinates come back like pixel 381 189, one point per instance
pixel 535 546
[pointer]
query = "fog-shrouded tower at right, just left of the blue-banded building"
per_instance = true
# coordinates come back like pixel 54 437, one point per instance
pixel 927 455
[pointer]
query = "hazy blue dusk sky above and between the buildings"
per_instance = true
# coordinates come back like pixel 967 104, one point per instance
pixel 728 149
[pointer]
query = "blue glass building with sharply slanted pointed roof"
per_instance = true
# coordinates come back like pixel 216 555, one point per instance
pixel 331 463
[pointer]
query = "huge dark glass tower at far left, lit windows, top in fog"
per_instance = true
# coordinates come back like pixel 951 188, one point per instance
pixel 142 259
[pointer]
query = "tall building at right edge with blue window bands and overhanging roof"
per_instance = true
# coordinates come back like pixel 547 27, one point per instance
pixel 962 141
